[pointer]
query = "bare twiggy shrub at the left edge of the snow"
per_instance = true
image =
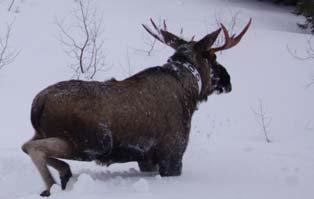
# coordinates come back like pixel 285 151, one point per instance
pixel 7 55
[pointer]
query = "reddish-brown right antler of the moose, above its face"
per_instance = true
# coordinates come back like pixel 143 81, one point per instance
pixel 231 41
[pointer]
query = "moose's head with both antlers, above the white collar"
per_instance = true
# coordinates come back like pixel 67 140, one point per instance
pixel 201 55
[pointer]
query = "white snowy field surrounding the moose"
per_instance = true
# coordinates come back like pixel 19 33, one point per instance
pixel 227 157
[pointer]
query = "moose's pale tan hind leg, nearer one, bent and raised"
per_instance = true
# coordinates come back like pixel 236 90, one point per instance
pixel 41 150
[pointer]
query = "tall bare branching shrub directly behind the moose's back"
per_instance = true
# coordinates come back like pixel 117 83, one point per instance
pixel 82 42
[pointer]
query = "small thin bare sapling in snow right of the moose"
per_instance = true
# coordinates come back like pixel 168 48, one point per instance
pixel 263 120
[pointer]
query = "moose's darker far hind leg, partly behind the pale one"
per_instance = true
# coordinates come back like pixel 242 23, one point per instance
pixel 63 168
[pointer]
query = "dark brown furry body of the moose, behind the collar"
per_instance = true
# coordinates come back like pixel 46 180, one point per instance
pixel 148 113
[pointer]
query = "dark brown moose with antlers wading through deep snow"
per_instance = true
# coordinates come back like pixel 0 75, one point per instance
pixel 145 118
